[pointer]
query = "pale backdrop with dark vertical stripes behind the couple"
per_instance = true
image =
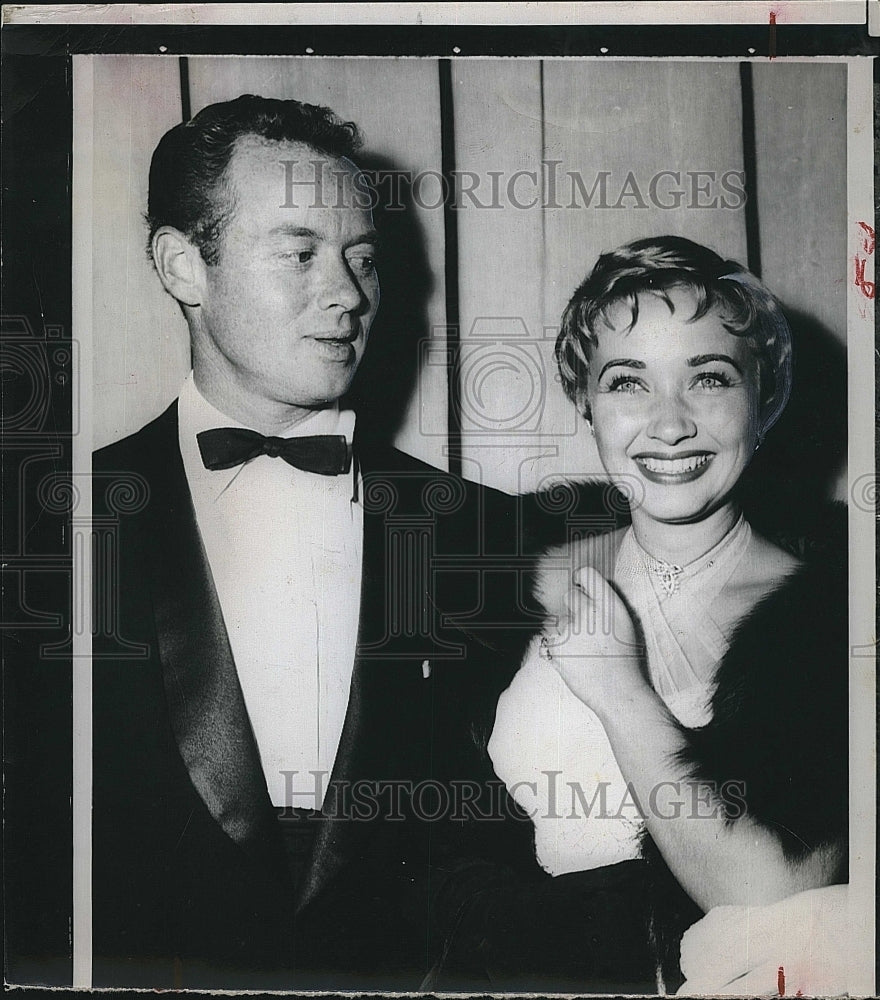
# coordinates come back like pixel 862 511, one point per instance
pixel 513 175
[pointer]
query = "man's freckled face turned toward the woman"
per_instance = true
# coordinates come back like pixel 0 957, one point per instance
pixel 285 312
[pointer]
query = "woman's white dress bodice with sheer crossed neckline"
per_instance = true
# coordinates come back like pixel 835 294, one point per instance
pixel 551 750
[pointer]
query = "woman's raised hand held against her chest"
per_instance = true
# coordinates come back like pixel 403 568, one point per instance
pixel 595 649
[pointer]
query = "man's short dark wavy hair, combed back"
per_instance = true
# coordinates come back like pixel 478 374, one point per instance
pixel 188 173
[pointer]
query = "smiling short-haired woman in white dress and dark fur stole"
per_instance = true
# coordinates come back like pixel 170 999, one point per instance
pixel 687 699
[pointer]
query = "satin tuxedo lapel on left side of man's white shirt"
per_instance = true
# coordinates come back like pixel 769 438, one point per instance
pixel 205 702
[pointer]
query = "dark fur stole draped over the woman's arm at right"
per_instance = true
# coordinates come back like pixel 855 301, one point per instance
pixel 780 724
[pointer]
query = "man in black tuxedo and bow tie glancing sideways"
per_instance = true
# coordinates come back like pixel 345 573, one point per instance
pixel 285 644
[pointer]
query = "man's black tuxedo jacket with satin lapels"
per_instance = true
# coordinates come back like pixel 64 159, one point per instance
pixel 191 887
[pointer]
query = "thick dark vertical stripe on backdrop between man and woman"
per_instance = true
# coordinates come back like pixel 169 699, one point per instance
pixel 450 231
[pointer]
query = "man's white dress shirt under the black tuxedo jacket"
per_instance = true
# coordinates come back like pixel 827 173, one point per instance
pixel 285 549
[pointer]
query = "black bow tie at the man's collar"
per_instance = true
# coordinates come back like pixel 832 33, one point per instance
pixel 226 447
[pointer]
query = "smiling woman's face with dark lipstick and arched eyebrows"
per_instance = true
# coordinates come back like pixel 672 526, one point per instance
pixel 675 407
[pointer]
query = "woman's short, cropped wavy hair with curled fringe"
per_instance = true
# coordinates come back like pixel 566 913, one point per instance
pixel 656 266
